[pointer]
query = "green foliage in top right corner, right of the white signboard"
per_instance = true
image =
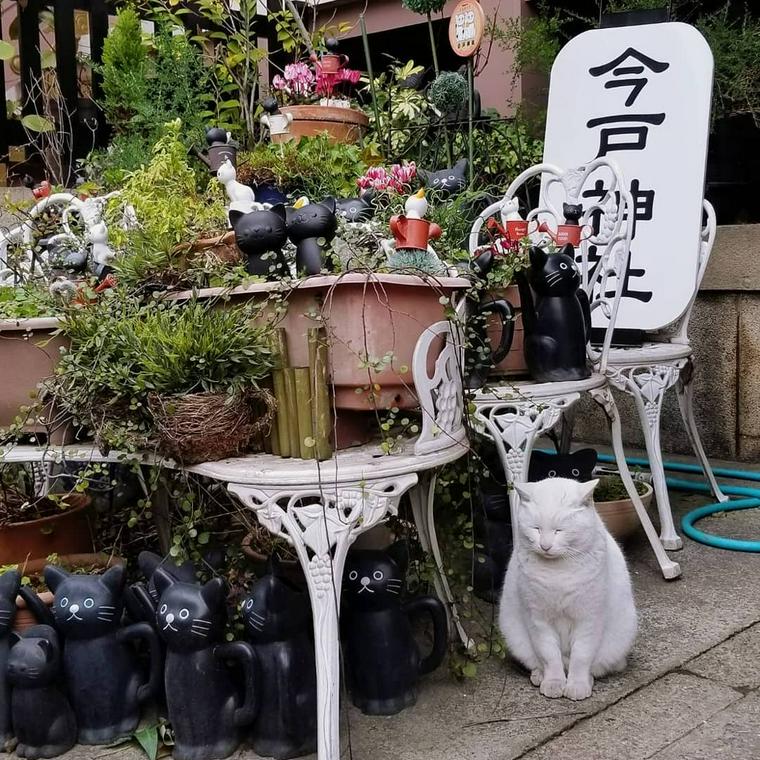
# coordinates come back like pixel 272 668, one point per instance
pixel 735 44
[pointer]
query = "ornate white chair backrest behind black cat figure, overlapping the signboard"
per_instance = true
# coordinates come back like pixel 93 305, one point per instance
pixel 605 246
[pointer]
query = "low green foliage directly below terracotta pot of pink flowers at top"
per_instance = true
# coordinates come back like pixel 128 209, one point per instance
pixel 312 166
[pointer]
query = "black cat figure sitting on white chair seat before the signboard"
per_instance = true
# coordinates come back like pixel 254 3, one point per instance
pixel 556 317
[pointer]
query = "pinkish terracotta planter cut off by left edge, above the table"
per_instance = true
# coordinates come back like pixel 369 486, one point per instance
pixel 28 354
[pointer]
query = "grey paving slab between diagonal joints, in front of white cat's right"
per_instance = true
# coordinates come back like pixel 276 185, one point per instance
pixel 643 723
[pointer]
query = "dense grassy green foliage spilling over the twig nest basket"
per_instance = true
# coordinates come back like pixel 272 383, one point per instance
pixel 121 351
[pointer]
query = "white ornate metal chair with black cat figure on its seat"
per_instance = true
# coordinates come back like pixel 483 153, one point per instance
pixel 515 415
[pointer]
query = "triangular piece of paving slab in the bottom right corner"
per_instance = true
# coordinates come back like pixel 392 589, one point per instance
pixel 731 734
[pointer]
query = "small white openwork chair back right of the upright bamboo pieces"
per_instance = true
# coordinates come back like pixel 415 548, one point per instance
pixel 441 396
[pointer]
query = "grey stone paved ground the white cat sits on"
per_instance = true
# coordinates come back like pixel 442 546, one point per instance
pixel 691 692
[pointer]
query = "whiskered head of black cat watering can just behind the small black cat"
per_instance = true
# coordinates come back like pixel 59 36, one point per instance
pixel 86 606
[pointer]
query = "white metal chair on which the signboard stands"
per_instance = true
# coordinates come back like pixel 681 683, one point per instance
pixel 648 371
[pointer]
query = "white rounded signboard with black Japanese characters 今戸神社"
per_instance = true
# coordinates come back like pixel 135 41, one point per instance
pixel 640 96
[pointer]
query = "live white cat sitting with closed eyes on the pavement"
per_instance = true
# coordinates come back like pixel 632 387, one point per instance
pixel 567 610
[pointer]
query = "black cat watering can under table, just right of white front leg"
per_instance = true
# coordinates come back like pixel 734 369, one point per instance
pixel 383 663
